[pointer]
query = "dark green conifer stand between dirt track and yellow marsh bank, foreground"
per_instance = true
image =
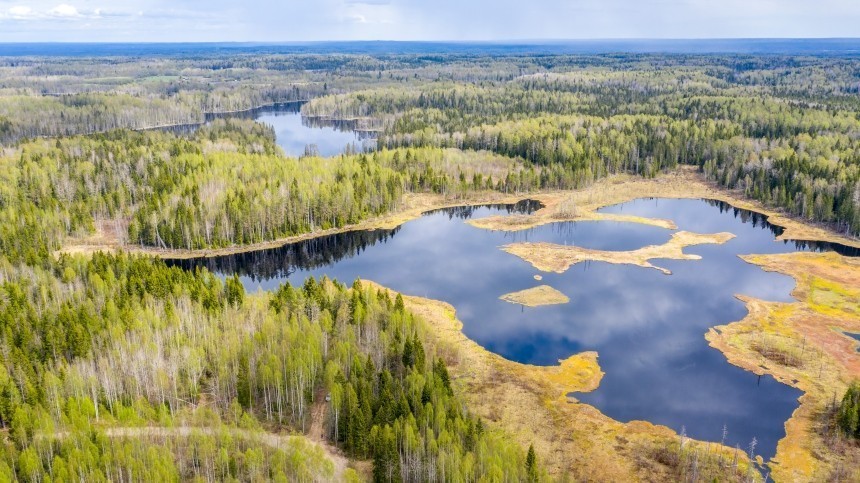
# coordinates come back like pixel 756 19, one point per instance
pixel 393 400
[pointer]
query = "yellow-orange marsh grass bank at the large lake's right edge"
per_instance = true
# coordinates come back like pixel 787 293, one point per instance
pixel 802 344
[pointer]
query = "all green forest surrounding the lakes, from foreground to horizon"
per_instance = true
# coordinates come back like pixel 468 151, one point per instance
pixel 118 367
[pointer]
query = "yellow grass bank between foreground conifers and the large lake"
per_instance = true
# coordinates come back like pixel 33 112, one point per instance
pixel 573 440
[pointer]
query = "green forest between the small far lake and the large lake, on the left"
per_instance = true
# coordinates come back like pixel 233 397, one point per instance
pixel 228 185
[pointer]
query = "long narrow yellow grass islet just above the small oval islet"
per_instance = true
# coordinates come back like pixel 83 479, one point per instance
pixel 549 257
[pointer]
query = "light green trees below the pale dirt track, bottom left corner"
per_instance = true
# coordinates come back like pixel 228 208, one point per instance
pixel 154 454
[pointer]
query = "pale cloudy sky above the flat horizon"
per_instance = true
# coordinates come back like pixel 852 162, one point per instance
pixel 458 20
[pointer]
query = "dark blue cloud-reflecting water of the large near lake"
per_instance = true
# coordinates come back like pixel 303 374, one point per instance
pixel 648 328
